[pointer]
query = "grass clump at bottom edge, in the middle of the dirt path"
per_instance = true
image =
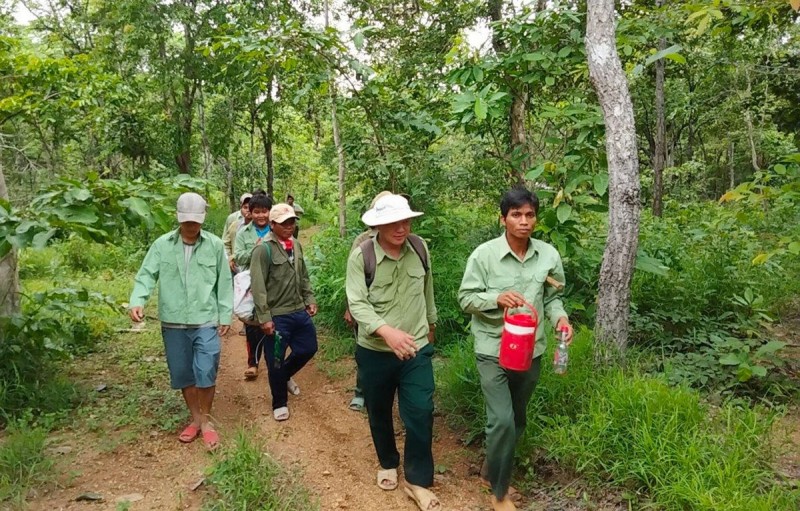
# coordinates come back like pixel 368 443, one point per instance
pixel 246 478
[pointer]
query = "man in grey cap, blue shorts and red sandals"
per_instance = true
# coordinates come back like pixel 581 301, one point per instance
pixel 195 304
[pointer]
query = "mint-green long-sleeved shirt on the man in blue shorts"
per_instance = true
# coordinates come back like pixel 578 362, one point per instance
pixel 205 297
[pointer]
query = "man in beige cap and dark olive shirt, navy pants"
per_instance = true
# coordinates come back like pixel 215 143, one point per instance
pixel 284 305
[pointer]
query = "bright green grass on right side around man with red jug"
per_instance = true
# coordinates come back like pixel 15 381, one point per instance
pixel 633 431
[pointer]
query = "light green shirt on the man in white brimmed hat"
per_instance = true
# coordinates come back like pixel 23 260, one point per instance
pixel 401 296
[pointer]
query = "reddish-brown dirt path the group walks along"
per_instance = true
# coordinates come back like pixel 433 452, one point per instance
pixel 327 442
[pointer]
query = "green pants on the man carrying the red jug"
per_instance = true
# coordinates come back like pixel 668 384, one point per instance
pixel 506 394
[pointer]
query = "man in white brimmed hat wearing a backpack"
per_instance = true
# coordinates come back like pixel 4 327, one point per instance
pixel 390 295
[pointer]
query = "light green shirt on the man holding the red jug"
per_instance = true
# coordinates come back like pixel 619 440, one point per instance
pixel 493 268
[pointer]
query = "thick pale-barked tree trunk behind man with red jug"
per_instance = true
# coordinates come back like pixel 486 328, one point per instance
pixel 619 257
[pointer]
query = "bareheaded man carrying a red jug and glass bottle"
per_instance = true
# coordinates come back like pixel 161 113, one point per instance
pixel 506 273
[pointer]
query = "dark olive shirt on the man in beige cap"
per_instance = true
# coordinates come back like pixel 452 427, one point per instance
pixel 288 282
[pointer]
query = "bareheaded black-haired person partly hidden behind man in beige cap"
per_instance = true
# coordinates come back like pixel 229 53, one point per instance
pixel 247 239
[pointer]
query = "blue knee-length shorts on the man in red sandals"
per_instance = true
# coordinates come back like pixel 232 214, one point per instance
pixel 192 356
